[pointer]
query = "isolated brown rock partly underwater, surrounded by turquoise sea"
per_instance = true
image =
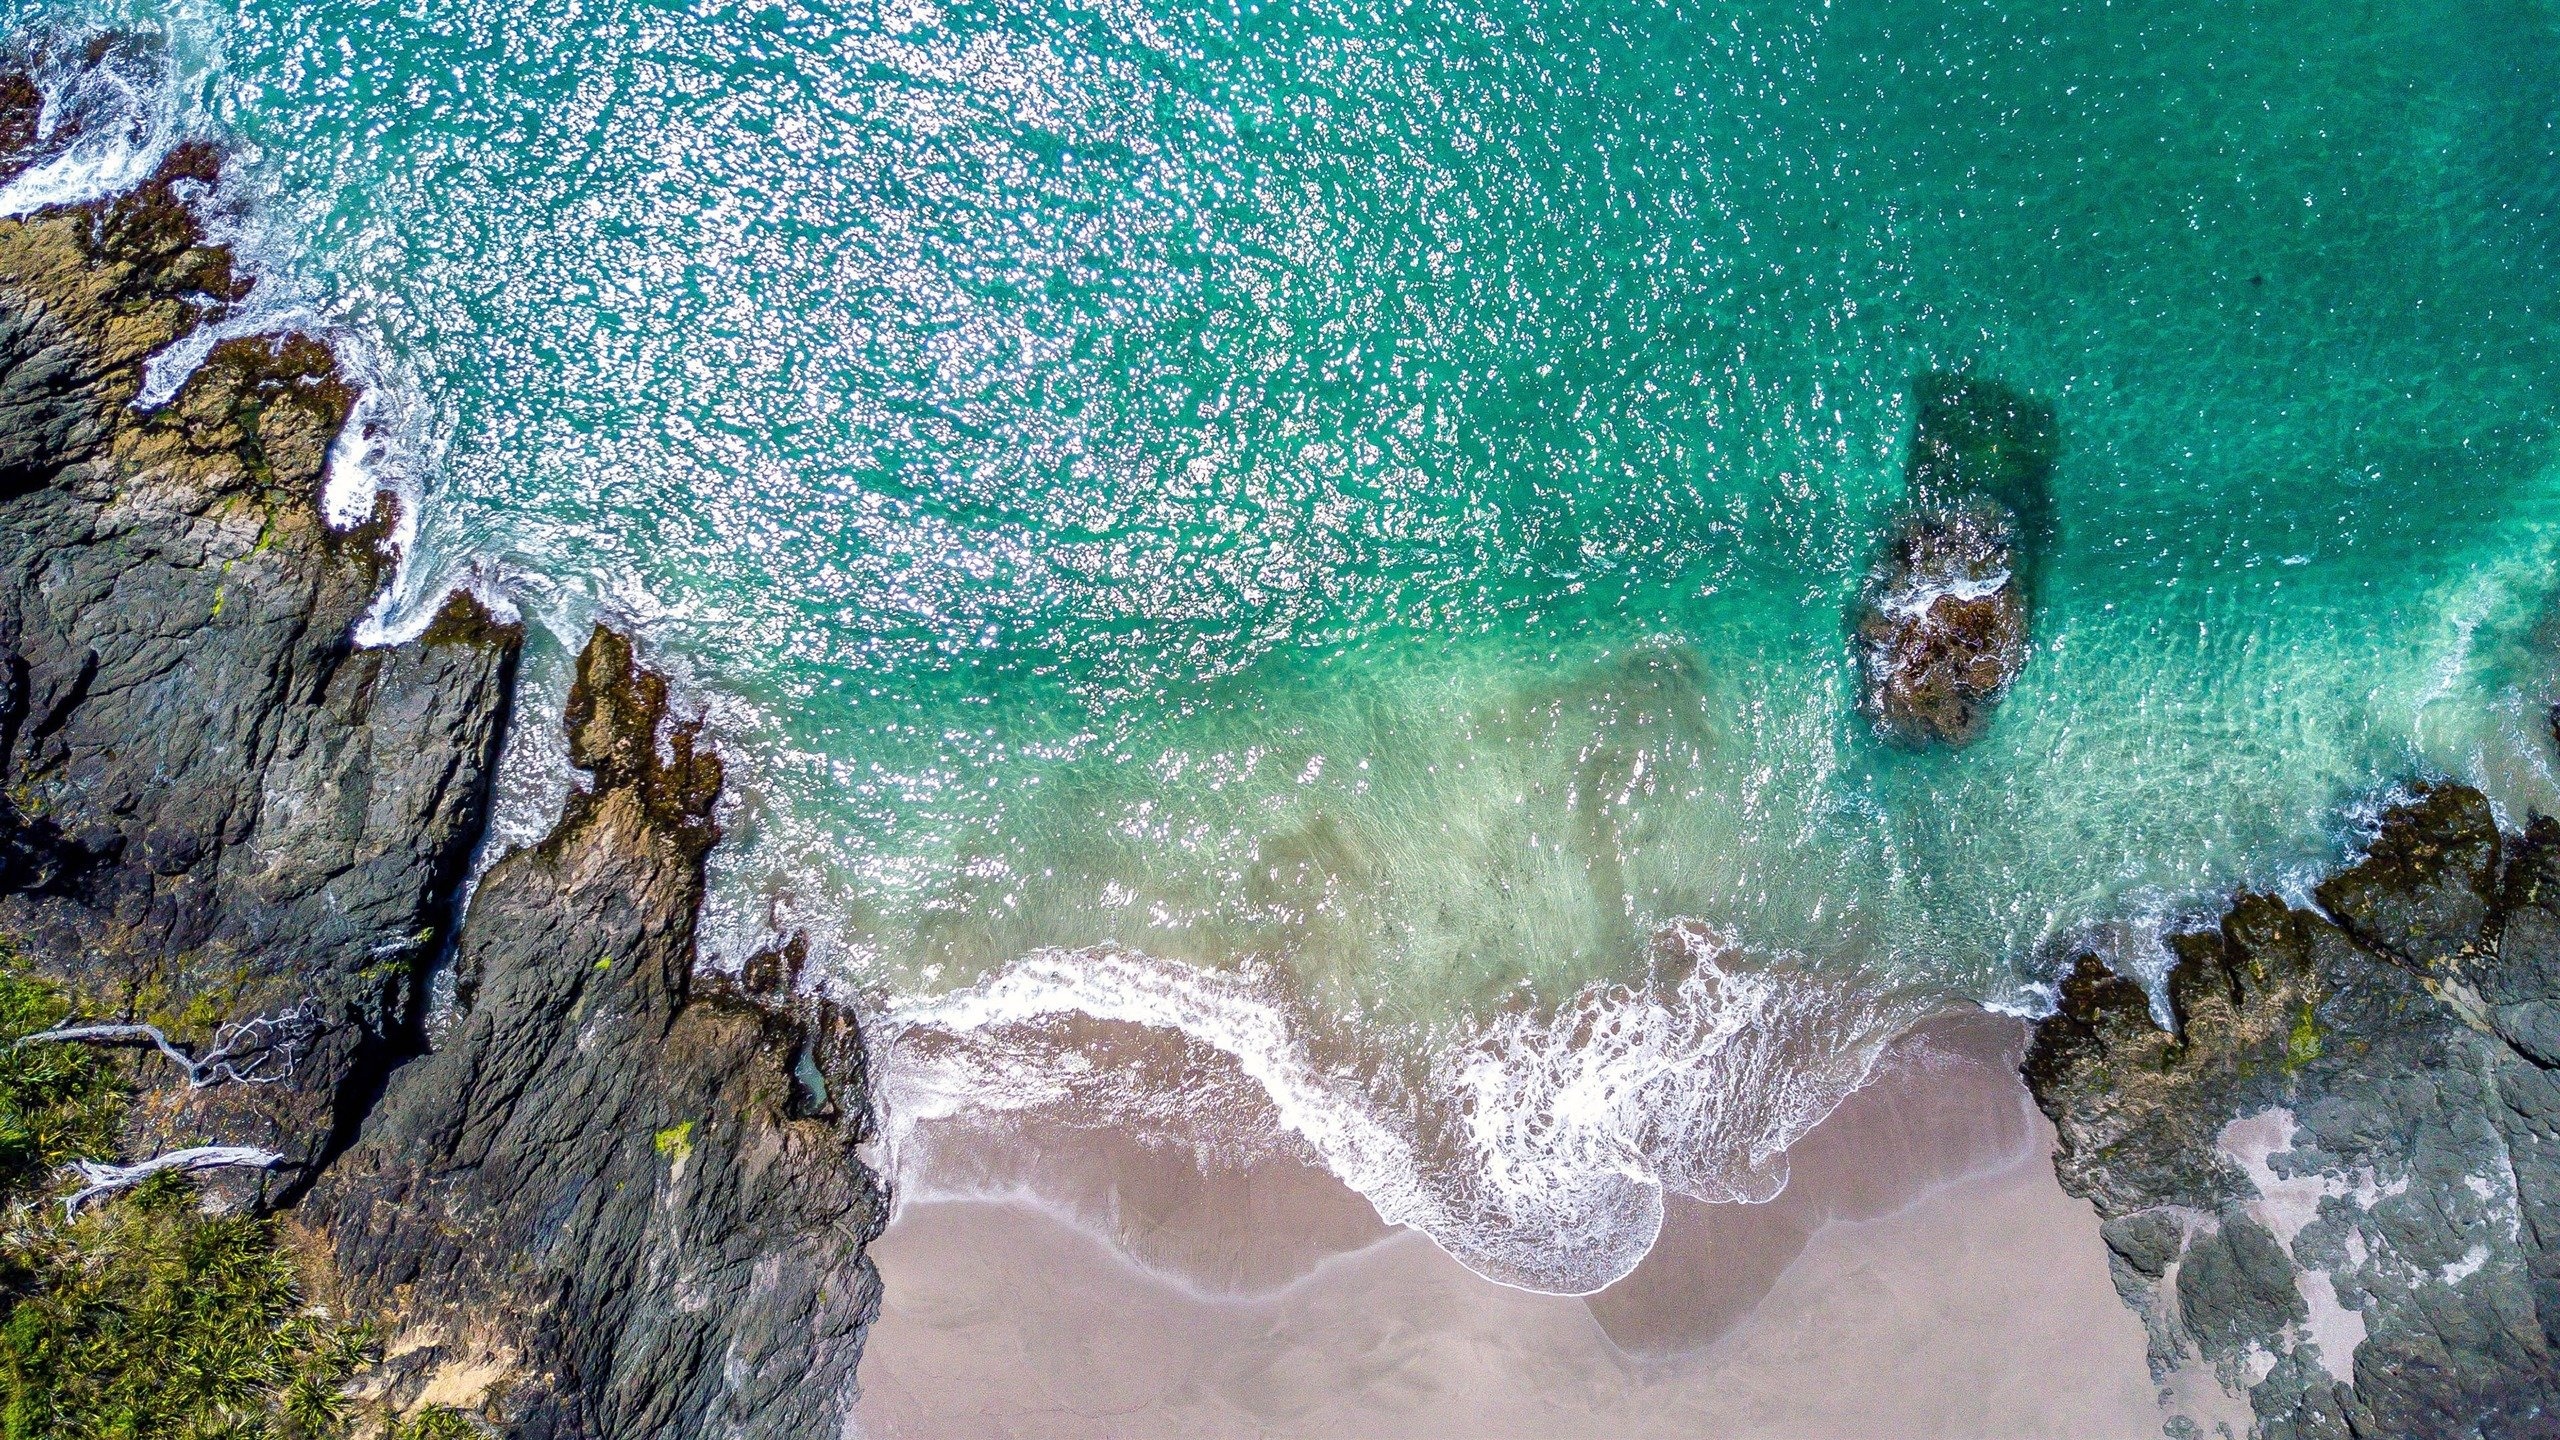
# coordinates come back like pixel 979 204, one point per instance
pixel 1942 624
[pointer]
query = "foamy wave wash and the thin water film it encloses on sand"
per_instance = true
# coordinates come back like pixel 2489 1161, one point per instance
pixel 1542 1154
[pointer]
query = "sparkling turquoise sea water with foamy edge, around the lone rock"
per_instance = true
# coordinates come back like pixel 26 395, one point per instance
pixel 1363 498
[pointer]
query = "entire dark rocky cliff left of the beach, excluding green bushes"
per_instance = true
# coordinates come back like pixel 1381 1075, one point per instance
pixel 616 1200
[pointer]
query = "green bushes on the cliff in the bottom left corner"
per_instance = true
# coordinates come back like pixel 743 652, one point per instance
pixel 142 1318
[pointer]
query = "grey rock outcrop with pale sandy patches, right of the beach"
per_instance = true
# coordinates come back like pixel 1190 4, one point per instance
pixel 2339 1177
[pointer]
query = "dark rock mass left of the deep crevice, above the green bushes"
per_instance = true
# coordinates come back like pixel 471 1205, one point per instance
pixel 216 803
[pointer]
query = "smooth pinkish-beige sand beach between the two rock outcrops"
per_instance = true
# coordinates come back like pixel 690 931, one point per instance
pixel 1921 1275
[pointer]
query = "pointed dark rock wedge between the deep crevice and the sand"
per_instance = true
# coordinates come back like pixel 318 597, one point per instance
pixel 626 1195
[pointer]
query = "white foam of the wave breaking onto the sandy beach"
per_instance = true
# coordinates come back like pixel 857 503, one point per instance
pixel 1537 1152
